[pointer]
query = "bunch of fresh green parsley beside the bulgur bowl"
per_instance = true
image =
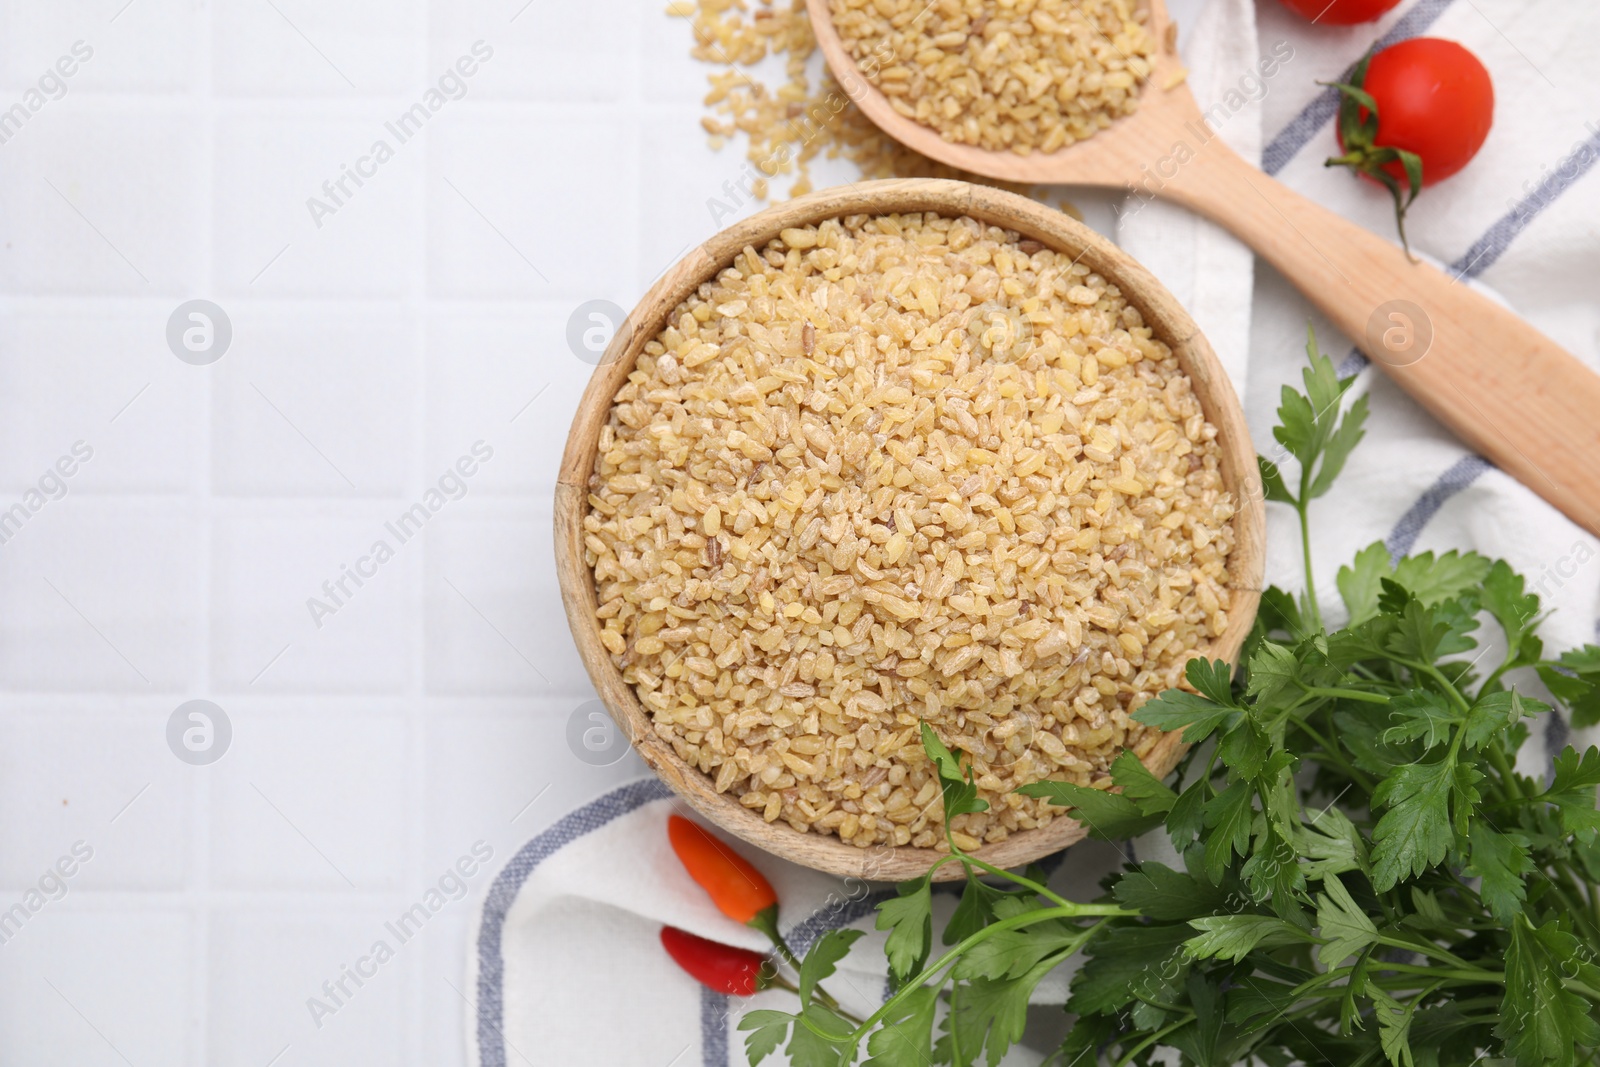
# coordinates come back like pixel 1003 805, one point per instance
pixel 1367 877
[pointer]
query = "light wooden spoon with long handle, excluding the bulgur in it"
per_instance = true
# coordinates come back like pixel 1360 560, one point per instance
pixel 1505 388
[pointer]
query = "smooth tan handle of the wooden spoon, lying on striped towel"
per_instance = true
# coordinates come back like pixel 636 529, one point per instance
pixel 1506 390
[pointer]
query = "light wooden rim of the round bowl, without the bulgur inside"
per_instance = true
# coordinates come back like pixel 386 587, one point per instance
pixel 886 198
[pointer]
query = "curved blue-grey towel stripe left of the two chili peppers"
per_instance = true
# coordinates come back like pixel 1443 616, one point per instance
pixel 502 895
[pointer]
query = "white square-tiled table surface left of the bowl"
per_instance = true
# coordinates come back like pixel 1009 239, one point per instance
pixel 369 354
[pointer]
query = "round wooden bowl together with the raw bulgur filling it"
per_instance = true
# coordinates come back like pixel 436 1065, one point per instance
pixel 919 452
